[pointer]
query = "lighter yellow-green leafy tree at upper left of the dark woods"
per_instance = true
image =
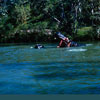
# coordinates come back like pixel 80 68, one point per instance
pixel 22 12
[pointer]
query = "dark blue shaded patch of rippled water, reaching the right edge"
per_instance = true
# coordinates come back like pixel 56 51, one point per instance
pixel 63 70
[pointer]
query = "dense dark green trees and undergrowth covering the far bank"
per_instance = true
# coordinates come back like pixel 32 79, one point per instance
pixel 30 20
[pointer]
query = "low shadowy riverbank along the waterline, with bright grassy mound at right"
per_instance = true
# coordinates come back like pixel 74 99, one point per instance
pixel 28 36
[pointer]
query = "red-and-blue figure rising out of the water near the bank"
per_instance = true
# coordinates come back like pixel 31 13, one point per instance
pixel 65 42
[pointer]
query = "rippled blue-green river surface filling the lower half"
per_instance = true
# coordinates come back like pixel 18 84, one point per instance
pixel 25 70
